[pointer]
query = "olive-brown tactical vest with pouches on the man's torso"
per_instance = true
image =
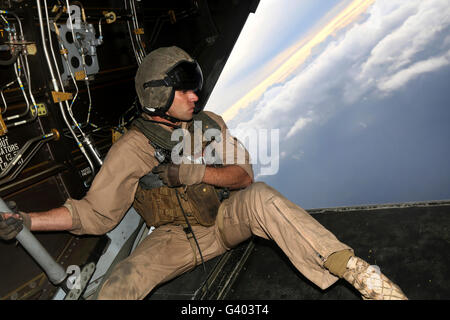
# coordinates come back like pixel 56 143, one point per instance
pixel 159 204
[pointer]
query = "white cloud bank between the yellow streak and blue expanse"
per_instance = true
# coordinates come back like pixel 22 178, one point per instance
pixel 395 42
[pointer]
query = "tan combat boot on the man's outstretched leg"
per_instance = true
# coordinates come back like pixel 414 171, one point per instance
pixel 370 282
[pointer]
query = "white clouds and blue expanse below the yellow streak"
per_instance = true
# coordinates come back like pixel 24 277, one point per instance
pixel 354 124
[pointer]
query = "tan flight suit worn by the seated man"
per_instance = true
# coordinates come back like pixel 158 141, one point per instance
pixel 166 253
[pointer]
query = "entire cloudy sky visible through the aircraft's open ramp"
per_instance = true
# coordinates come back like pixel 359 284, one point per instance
pixel 356 94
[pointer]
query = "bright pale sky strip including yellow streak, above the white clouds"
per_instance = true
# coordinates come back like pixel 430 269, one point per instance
pixel 260 42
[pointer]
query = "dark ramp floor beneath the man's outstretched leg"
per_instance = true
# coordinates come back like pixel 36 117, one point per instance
pixel 409 242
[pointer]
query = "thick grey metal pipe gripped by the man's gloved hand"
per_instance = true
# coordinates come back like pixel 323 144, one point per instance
pixel 55 272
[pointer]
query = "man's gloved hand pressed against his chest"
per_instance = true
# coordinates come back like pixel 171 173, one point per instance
pixel 174 175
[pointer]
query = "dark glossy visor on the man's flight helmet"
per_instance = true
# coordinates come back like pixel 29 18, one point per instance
pixel 186 76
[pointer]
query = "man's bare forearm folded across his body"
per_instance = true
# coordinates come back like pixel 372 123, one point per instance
pixel 232 176
